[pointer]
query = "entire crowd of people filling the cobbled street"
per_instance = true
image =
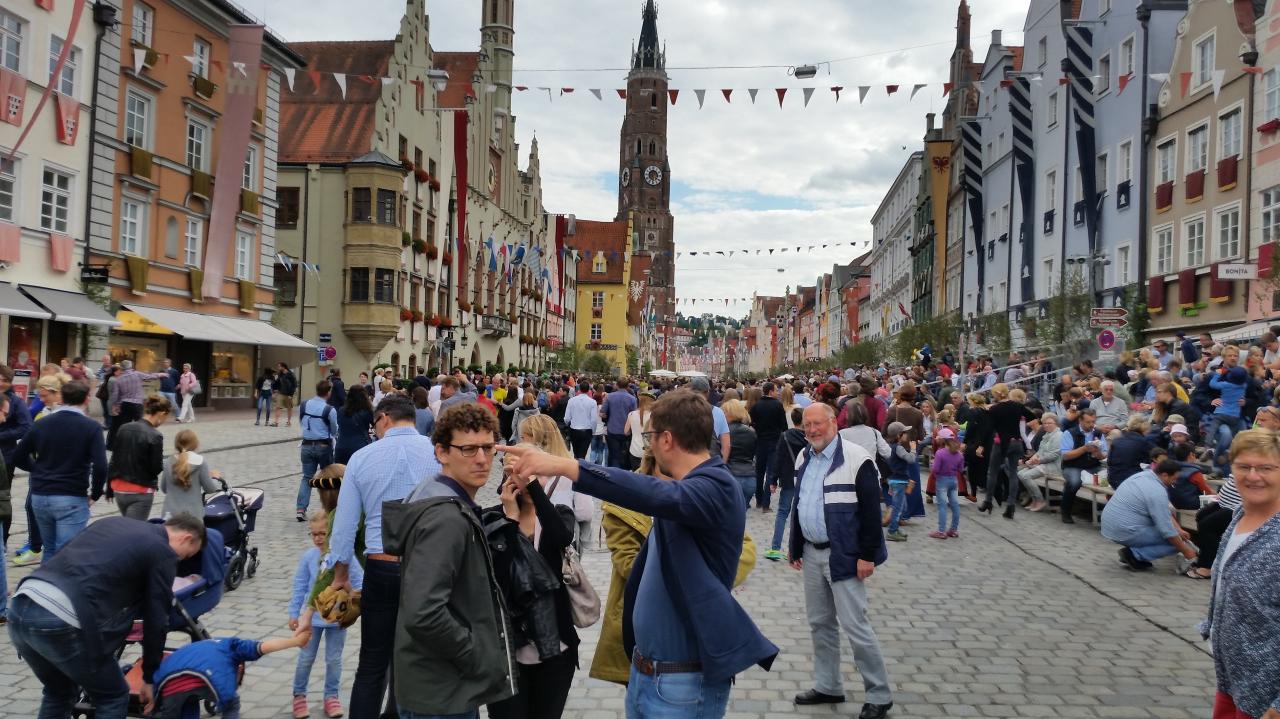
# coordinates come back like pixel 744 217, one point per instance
pixel 463 606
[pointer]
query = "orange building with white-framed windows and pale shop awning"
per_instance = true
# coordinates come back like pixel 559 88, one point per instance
pixel 166 77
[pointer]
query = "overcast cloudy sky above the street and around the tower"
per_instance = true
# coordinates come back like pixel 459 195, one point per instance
pixel 746 177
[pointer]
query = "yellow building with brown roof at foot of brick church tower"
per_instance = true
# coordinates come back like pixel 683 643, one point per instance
pixel 605 269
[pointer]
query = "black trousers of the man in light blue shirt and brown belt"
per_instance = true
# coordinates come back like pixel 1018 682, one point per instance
pixel 380 604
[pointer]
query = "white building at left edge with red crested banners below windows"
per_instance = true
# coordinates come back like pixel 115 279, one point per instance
pixel 44 314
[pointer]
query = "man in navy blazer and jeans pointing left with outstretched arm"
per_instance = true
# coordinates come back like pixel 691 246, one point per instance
pixel 680 620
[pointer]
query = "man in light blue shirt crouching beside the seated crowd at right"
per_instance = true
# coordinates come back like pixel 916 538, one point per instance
pixel 1139 518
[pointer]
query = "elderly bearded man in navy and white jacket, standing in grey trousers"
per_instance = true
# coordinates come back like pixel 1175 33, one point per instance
pixel 836 539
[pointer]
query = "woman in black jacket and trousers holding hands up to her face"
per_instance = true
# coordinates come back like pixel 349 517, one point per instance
pixel 542 516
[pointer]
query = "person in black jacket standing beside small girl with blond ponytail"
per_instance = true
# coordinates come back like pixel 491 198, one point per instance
pixel 138 460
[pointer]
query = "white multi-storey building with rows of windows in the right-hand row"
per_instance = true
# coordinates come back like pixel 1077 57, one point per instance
pixel 892 255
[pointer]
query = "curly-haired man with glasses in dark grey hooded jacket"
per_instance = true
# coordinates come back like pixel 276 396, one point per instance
pixel 454 647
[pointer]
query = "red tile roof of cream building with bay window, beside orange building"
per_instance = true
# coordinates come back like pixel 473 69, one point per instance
pixel 317 123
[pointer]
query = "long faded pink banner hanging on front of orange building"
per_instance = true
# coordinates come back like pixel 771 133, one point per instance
pixel 245 43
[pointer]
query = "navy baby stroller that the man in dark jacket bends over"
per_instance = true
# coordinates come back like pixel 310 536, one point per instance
pixel 191 601
